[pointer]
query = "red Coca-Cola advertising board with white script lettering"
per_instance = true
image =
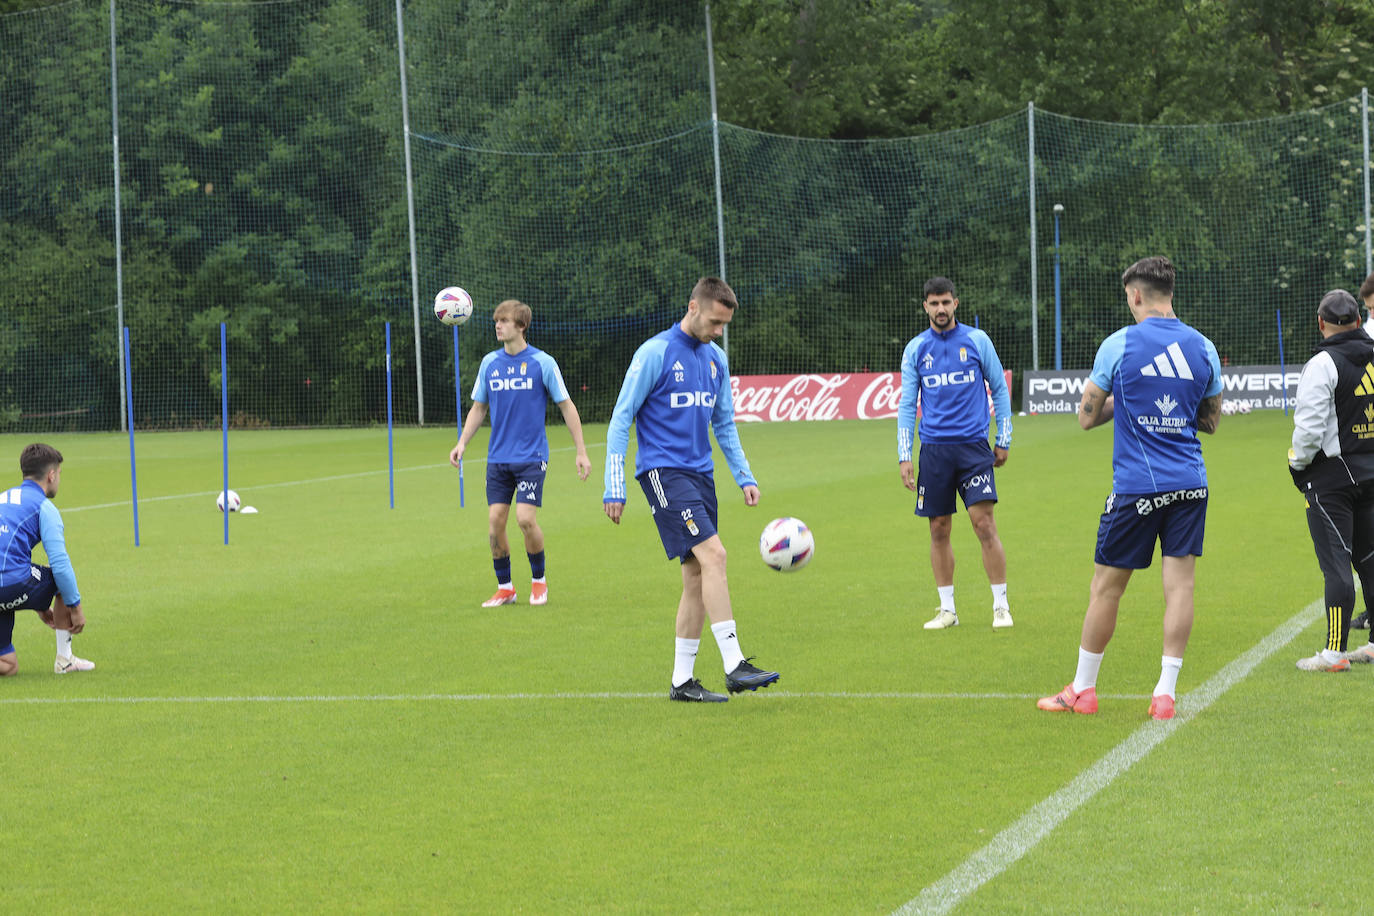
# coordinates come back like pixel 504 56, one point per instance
pixel 820 396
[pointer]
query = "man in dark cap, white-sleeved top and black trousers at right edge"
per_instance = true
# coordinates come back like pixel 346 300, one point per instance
pixel 1332 462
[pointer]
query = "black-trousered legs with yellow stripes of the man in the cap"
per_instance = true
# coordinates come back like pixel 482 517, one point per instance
pixel 1331 521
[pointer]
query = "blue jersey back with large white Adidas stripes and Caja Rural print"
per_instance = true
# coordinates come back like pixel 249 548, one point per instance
pixel 1158 371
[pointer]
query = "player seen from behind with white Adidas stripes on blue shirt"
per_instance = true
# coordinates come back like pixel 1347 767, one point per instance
pixel 1163 384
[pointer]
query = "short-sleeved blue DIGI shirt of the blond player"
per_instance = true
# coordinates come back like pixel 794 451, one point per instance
pixel 516 389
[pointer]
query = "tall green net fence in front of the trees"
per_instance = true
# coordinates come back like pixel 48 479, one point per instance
pixel 564 156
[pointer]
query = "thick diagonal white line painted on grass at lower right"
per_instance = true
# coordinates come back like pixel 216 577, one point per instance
pixel 1009 847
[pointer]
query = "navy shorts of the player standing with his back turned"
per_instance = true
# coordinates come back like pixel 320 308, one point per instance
pixel 1133 524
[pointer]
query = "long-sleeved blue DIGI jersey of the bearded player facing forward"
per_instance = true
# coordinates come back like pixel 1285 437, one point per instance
pixel 950 374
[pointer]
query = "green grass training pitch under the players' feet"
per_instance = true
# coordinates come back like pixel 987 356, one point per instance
pixel 319 716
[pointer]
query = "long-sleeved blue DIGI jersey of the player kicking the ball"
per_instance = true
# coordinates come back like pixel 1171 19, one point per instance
pixel 677 392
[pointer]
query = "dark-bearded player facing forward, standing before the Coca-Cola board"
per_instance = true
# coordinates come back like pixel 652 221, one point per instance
pixel 949 370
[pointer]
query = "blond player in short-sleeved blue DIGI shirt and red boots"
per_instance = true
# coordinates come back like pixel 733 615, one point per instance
pixel 515 384
